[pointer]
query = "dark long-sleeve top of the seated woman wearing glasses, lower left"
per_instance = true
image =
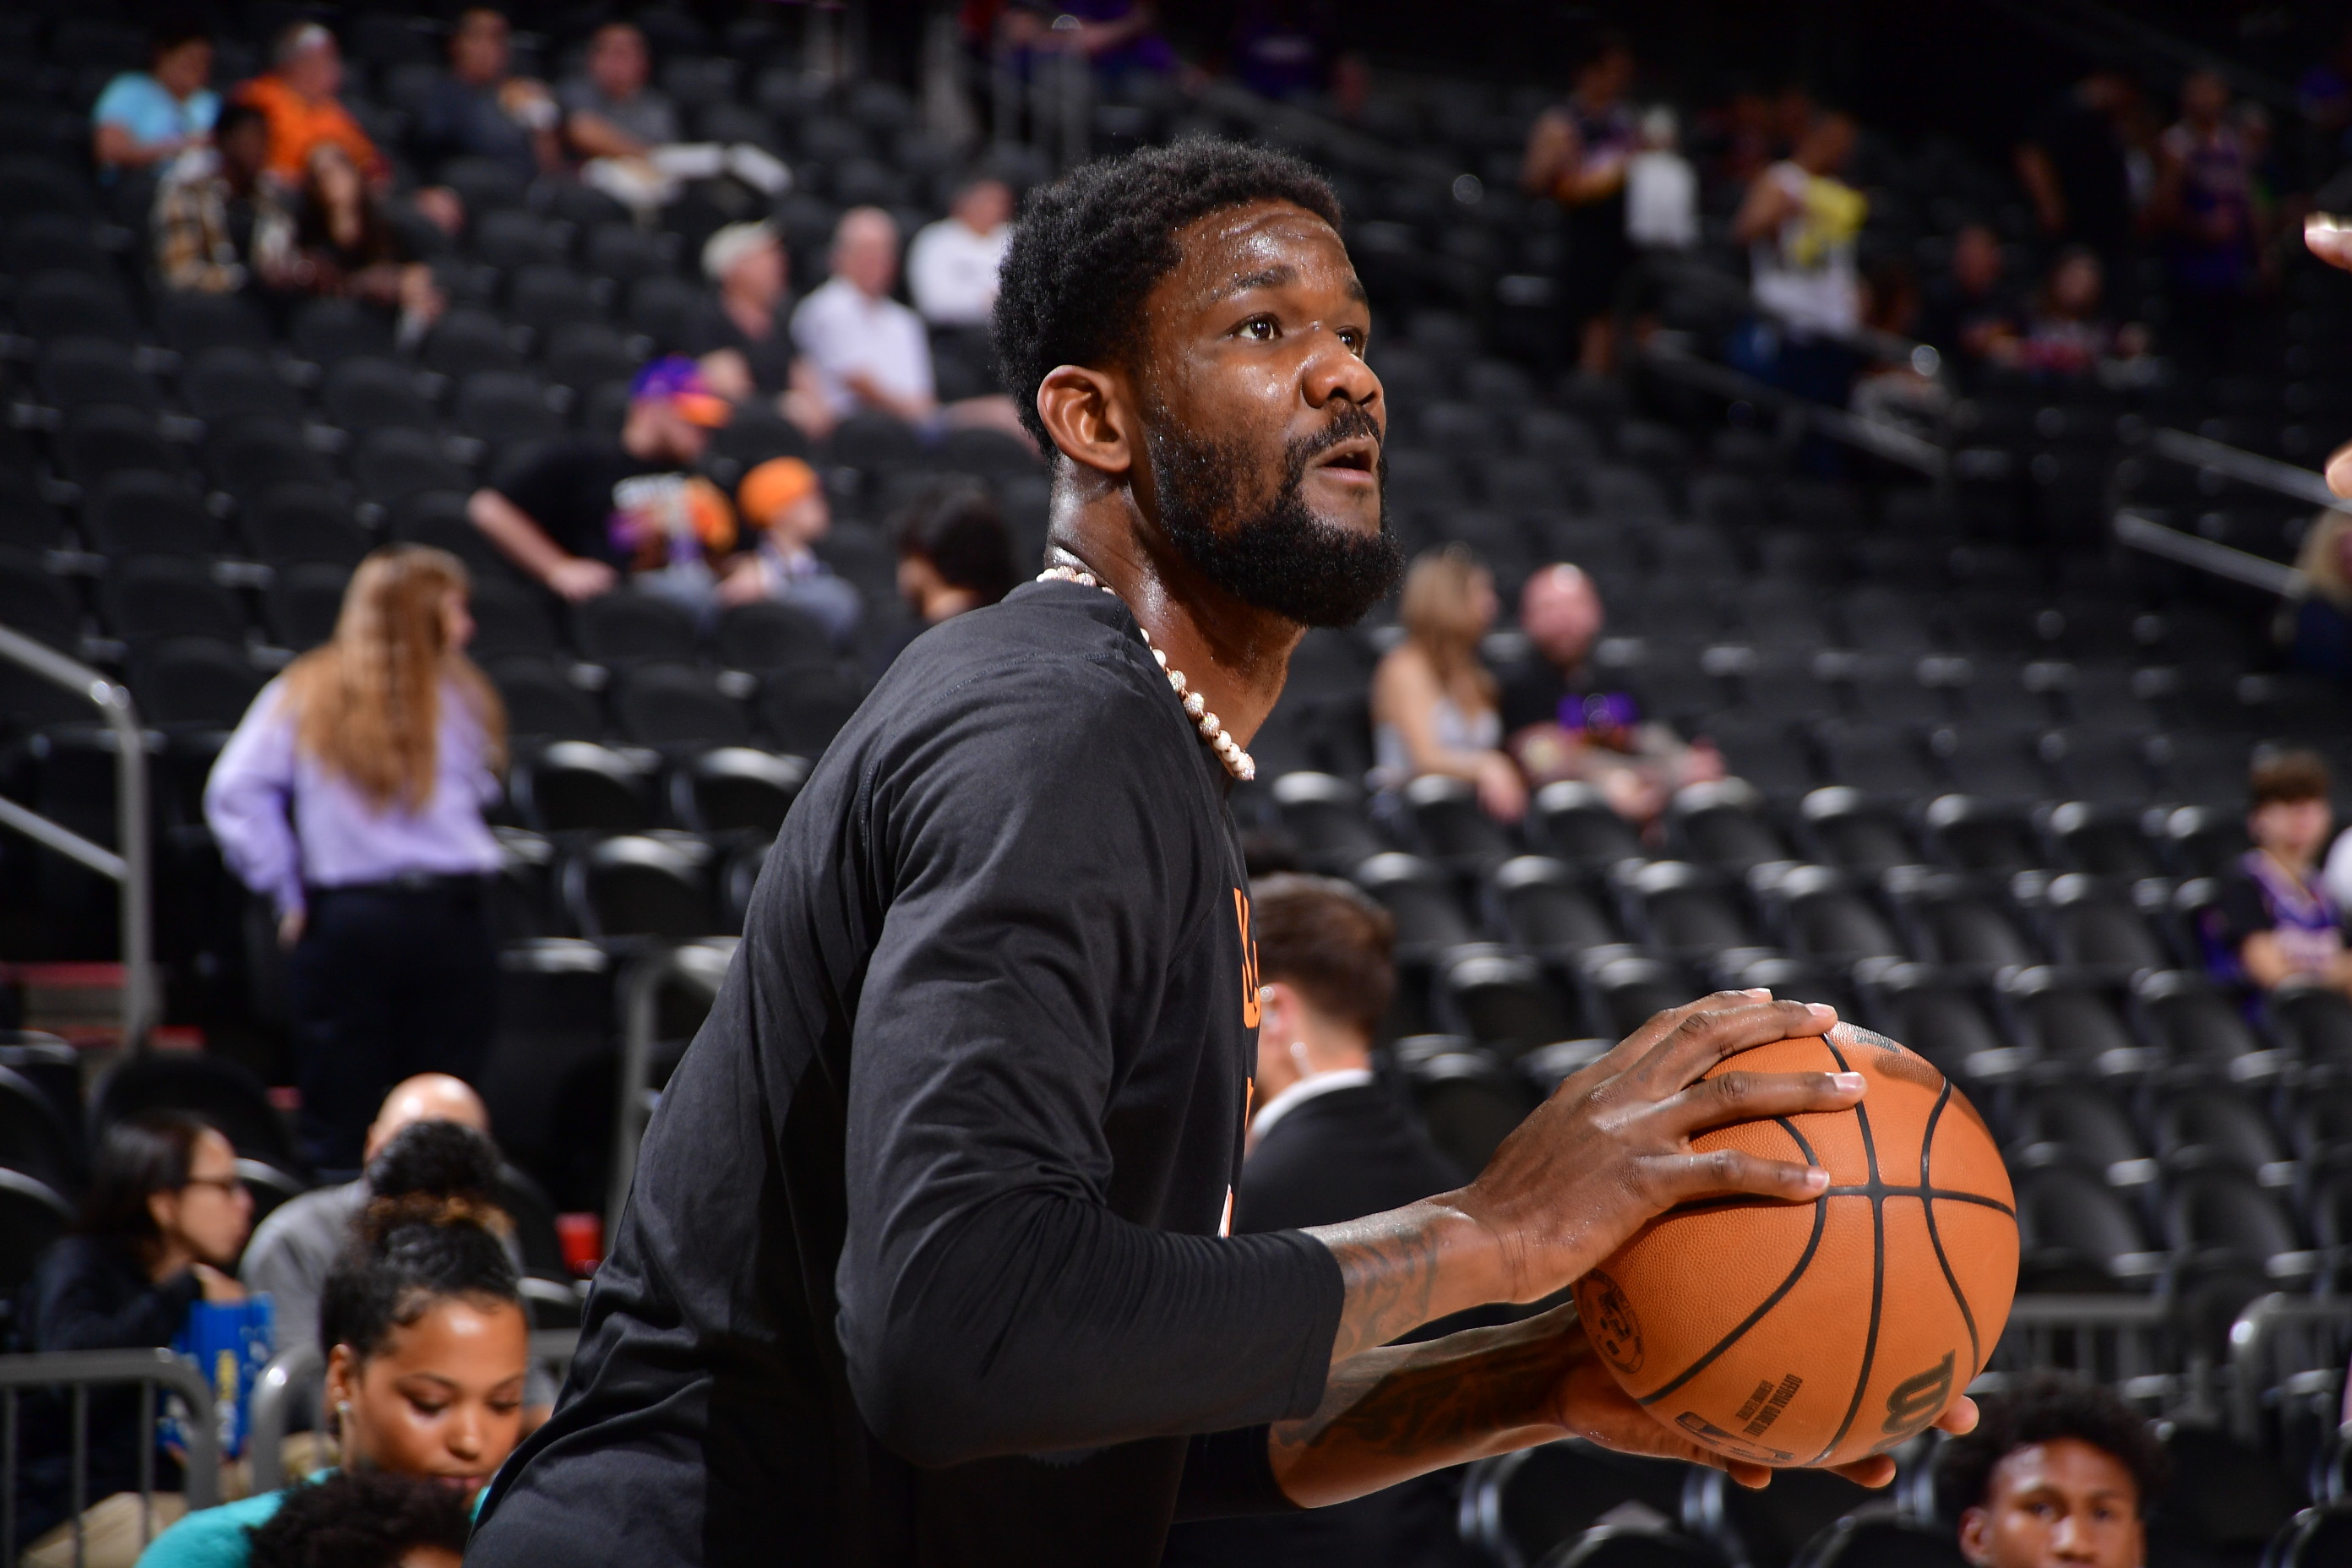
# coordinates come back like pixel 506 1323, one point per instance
pixel 93 1294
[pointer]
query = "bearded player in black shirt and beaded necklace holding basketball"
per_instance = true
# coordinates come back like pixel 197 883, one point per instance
pixel 928 1254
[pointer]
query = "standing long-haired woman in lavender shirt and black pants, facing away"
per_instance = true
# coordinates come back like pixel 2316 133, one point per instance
pixel 352 798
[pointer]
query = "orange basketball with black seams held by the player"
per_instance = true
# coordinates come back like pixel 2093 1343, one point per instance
pixel 1819 1334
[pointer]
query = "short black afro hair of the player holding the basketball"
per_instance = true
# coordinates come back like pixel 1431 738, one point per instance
pixel 1093 246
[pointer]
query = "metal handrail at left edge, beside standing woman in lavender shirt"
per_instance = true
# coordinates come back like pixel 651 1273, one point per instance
pixel 135 866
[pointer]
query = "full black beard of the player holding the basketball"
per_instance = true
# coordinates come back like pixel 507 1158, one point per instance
pixel 1281 558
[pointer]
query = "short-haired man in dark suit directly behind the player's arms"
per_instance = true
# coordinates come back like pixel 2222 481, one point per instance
pixel 1328 1144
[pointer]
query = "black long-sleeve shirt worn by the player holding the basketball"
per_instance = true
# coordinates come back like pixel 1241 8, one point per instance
pixel 923 1257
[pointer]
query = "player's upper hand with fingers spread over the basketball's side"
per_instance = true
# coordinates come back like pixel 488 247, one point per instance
pixel 1612 1148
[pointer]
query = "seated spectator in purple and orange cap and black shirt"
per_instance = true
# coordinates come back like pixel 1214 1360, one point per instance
pixel 589 511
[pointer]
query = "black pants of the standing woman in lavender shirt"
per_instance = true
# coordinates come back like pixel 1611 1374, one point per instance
pixel 387 984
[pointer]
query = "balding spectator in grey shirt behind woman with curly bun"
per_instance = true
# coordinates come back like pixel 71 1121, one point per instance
pixel 302 1238
